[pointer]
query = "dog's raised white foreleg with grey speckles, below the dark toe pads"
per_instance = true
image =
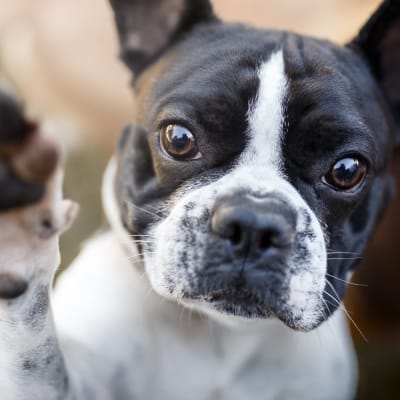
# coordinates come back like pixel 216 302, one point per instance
pixel 31 364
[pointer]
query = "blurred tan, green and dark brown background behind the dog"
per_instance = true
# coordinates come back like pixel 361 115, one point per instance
pixel 61 58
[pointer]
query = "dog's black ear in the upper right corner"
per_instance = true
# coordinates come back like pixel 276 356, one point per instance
pixel 379 43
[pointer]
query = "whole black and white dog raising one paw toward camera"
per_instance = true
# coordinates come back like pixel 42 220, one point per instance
pixel 244 191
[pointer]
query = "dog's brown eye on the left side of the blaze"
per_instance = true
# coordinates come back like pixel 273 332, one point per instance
pixel 178 142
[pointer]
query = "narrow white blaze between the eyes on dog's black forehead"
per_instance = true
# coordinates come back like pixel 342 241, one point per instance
pixel 266 115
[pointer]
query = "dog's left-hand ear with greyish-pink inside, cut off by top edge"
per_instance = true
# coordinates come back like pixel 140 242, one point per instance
pixel 146 28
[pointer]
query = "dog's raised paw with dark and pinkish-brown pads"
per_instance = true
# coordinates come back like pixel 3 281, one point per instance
pixel 32 211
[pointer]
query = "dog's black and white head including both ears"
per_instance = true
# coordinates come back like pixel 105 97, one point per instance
pixel 256 167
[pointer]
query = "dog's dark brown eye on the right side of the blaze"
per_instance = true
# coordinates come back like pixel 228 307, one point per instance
pixel 346 174
